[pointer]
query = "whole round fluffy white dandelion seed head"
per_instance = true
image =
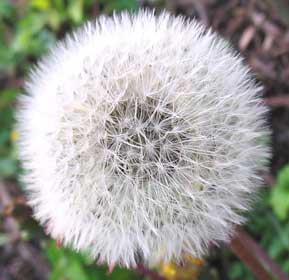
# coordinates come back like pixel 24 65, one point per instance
pixel 141 139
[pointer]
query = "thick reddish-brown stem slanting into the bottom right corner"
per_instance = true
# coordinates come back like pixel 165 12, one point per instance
pixel 255 257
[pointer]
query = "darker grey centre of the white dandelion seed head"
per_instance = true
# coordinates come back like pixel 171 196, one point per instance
pixel 142 139
